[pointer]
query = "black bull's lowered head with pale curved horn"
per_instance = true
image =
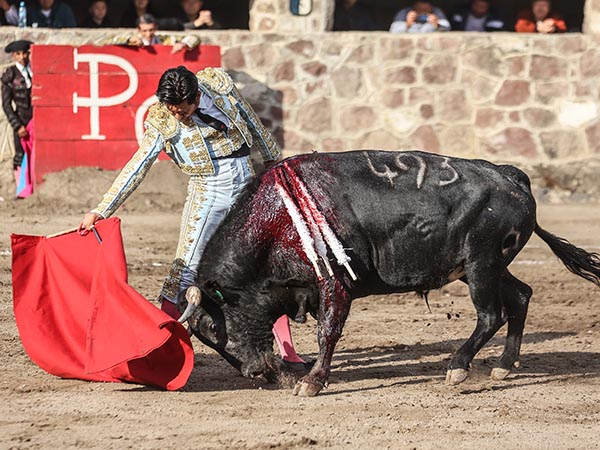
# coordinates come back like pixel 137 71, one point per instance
pixel 224 325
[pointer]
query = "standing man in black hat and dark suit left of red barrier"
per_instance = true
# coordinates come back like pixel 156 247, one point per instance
pixel 16 95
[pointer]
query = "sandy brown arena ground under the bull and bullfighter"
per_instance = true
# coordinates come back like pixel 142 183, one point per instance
pixel 387 386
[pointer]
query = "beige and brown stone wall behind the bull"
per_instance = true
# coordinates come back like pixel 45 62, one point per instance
pixel 528 99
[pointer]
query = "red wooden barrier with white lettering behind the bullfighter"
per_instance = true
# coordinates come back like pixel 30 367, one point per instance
pixel 90 102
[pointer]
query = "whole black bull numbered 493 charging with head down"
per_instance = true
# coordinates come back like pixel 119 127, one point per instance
pixel 316 231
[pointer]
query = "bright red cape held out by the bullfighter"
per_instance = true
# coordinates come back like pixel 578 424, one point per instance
pixel 78 317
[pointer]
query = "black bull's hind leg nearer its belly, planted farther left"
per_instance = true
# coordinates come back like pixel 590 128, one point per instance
pixel 484 286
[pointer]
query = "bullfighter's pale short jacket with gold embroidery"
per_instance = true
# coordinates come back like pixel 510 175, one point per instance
pixel 193 144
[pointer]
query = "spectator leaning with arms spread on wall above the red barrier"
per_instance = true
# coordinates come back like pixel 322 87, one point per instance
pixel 146 35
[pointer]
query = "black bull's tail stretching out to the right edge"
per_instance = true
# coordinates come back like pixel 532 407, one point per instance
pixel 580 262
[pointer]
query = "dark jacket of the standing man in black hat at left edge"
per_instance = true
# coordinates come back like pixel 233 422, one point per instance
pixel 14 89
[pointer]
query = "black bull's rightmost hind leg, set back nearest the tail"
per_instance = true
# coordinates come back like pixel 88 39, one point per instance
pixel 515 296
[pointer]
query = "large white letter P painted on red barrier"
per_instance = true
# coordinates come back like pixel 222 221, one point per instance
pixel 94 101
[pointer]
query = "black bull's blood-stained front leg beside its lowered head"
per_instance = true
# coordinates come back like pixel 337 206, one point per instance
pixel 334 306
